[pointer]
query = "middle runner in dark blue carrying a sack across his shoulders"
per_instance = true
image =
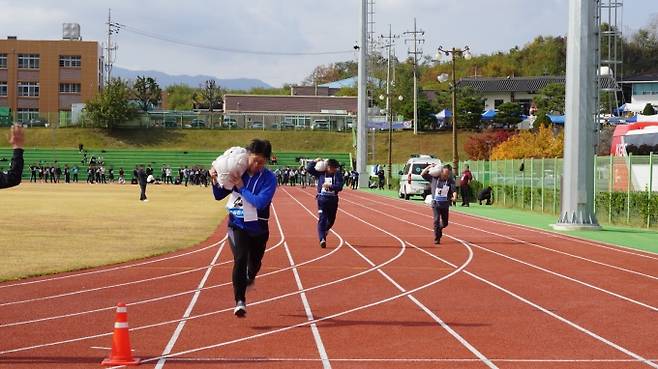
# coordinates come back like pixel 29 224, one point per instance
pixel 330 183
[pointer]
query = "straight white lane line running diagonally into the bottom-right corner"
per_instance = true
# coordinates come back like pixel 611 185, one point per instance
pixel 544 310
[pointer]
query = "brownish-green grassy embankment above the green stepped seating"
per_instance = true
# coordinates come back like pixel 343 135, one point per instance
pixel 404 143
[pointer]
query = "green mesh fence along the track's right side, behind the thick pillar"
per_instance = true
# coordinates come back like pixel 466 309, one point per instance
pixel 626 188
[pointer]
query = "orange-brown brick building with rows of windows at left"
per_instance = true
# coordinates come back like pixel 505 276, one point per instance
pixel 40 80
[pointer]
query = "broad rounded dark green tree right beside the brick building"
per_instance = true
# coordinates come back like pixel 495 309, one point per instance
pixel 112 105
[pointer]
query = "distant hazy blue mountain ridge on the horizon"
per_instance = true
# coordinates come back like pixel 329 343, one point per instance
pixel 165 79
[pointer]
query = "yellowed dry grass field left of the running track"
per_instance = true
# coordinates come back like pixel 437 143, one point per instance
pixel 54 228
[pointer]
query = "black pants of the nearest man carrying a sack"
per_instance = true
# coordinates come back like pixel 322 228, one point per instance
pixel 248 251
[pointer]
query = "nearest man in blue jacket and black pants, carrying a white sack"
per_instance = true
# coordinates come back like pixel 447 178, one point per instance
pixel 251 194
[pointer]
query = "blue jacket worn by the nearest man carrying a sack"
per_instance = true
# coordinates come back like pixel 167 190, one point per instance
pixel 258 191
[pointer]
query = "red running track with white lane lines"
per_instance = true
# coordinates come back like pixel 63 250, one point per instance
pixel 492 295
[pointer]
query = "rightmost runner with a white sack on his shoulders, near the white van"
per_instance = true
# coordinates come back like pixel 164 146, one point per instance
pixel 443 194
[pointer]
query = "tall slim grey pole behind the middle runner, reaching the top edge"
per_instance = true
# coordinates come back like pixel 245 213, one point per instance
pixel 362 115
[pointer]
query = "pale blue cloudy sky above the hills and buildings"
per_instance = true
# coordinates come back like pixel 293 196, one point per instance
pixel 290 26
